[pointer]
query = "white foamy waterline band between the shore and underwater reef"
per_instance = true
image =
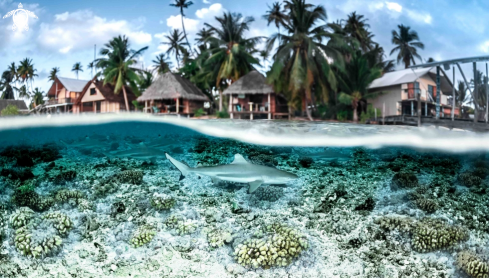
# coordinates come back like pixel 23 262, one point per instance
pixel 284 133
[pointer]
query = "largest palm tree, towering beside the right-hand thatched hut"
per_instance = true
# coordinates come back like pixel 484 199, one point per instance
pixel 301 66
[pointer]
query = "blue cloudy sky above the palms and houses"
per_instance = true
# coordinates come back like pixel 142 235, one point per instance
pixel 66 31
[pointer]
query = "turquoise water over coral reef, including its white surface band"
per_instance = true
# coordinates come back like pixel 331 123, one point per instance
pixel 368 201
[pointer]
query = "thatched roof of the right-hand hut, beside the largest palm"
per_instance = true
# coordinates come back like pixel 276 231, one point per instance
pixel 251 84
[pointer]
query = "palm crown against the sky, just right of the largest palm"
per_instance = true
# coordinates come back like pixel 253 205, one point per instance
pixel 356 27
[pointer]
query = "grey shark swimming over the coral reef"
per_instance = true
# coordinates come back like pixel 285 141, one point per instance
pixel 240 171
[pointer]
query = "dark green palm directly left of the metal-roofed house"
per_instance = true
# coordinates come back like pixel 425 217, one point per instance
pixel 354 81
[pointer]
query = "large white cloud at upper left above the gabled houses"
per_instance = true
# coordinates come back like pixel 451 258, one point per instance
pixel 82 29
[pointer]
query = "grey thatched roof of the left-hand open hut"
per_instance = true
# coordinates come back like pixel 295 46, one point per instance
pixel 170 86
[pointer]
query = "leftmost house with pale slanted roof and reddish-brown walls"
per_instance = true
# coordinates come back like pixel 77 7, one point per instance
pixel 62 94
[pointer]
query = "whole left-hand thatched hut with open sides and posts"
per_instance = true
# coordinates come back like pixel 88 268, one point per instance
pixel 170 93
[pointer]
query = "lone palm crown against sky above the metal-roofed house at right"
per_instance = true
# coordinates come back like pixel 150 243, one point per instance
pixel 408 43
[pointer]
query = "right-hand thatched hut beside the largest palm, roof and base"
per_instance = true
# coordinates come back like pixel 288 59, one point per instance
pixel 251 97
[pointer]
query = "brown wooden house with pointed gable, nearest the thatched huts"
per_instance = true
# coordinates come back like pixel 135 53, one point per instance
pixel 99 98
